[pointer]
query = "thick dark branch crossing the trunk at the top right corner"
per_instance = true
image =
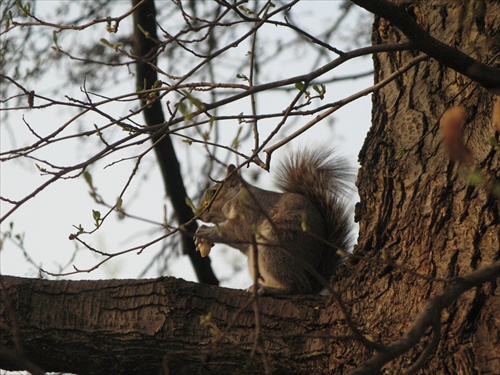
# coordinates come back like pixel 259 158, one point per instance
pixel 486 76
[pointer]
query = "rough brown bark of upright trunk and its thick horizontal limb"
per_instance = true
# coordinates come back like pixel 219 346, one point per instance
pixel 417 210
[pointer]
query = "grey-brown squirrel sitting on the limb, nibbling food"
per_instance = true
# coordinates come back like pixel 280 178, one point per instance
pixel 297 233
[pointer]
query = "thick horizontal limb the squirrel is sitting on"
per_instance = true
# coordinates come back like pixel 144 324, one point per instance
pixel 153 326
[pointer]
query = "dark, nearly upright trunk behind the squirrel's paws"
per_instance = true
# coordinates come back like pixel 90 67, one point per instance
pixel 145 45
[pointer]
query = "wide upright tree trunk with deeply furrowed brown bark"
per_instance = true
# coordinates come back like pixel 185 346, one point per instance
pixel 417 208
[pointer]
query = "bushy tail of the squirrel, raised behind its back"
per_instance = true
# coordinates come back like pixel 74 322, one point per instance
pixel 327 180
